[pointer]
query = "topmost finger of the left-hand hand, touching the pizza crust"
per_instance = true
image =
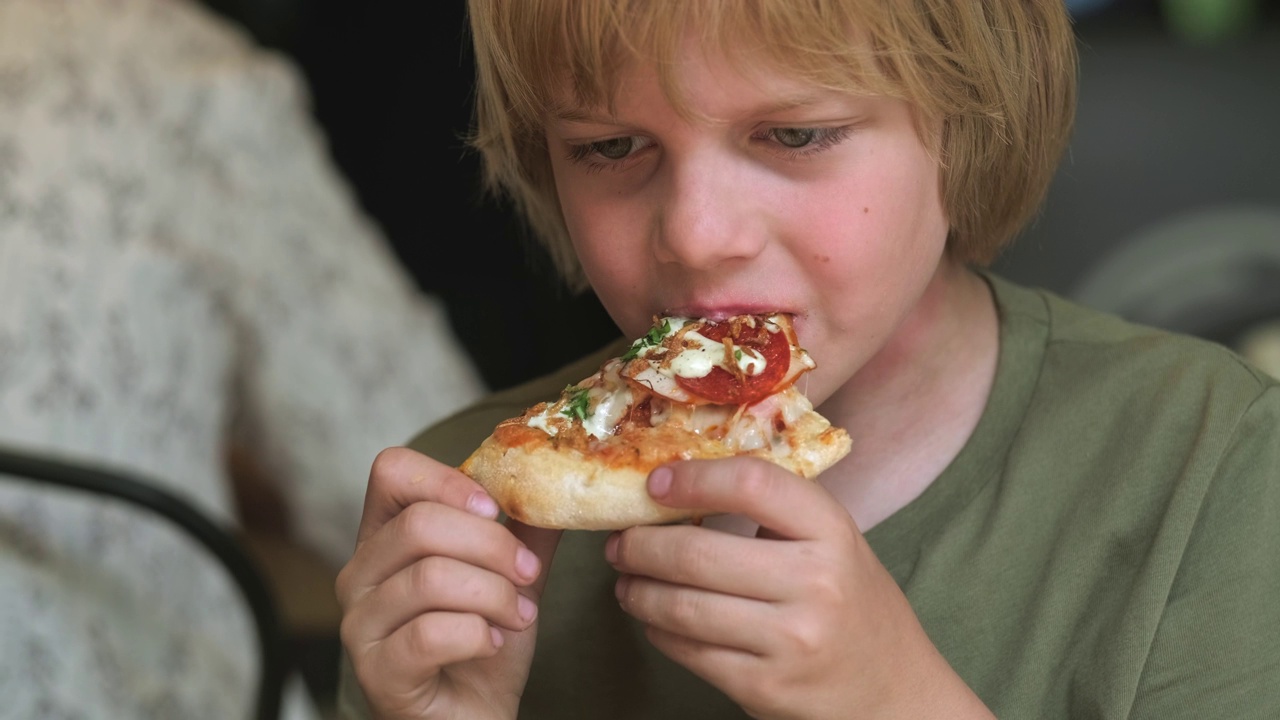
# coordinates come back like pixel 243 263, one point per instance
pixel 401 477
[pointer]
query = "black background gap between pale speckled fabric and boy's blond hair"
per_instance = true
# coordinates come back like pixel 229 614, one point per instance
pixel 391 84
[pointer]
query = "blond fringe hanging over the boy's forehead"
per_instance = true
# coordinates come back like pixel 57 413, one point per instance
pixel 575 51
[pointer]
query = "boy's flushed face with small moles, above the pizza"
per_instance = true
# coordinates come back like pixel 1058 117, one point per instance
pixel 772 195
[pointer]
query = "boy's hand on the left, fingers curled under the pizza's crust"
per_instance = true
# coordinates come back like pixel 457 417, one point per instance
pixel 440 600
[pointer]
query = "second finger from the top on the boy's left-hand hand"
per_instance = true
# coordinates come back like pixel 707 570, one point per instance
pixel 427 530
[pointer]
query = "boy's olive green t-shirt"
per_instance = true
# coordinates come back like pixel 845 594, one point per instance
pixel 1105 546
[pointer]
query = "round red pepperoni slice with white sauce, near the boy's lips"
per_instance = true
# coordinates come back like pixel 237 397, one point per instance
pixel 723 388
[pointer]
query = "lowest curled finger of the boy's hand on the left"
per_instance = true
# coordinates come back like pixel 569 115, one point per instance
pixel 419 649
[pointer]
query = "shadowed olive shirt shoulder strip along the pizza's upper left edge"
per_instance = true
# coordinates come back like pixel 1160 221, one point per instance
pixel 452 440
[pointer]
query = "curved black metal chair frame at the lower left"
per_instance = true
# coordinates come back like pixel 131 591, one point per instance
pixel 220 544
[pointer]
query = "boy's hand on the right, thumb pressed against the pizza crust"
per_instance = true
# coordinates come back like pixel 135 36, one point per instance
pixel 801 622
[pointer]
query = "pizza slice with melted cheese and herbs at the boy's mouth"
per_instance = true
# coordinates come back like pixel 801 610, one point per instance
pixel 689 389
